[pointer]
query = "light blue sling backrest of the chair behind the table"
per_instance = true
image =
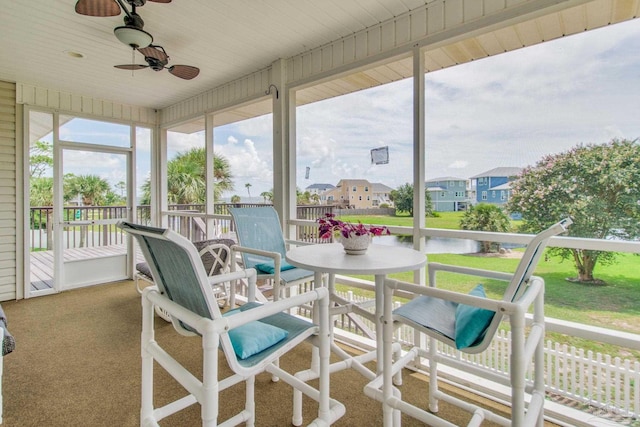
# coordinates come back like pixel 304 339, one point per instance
pixel 258 228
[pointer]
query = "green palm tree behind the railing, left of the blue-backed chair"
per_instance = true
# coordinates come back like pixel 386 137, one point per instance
pixel 186 178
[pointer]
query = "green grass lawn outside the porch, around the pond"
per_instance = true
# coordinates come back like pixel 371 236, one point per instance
pixel 615 305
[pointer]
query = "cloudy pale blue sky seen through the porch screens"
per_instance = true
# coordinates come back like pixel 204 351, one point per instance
pixel 503 111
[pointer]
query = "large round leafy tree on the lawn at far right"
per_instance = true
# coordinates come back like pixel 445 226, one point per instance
pixel 597 185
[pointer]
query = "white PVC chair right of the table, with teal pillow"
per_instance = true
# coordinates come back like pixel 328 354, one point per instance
pixel 469 322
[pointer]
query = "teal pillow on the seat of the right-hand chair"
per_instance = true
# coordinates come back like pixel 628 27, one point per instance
pixel 471 322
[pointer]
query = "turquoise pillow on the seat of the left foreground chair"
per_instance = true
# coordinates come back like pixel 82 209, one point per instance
pixel 254 337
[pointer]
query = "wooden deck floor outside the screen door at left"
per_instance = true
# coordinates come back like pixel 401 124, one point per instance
pixel 42 262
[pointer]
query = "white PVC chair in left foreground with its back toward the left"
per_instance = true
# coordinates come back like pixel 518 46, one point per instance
pixel 184 291
